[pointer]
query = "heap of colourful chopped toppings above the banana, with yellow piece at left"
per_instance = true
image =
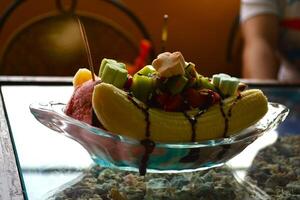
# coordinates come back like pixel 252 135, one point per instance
pixel 169 83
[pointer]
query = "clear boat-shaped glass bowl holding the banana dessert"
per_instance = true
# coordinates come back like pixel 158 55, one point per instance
pixel 113 150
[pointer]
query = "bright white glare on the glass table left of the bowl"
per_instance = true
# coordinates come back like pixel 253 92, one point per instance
pixel 47 158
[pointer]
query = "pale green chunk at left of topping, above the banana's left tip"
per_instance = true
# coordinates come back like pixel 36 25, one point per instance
pixel 113 72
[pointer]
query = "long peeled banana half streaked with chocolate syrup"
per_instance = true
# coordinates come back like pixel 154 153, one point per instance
pixel 126 115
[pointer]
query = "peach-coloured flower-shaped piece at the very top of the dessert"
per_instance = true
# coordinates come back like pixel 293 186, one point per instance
pixel 169 64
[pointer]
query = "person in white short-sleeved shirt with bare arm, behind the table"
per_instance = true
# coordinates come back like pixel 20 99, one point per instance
pixel 271 31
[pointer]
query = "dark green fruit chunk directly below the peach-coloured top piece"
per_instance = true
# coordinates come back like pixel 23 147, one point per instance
pixel 176 84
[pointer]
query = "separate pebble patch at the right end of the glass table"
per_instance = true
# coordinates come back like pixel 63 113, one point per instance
pixel 276 169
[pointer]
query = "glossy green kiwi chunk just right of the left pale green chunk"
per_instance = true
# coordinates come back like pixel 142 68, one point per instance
pixel 142 86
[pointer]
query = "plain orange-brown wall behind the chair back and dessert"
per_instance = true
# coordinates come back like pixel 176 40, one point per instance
pixel 199 29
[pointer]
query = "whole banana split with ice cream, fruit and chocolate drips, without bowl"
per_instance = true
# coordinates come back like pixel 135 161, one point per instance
pixel 166 102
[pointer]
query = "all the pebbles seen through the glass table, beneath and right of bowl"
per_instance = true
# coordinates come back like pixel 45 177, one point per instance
pixel 275 171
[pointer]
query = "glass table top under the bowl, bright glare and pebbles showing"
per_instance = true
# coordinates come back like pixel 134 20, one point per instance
pixel 53 166
